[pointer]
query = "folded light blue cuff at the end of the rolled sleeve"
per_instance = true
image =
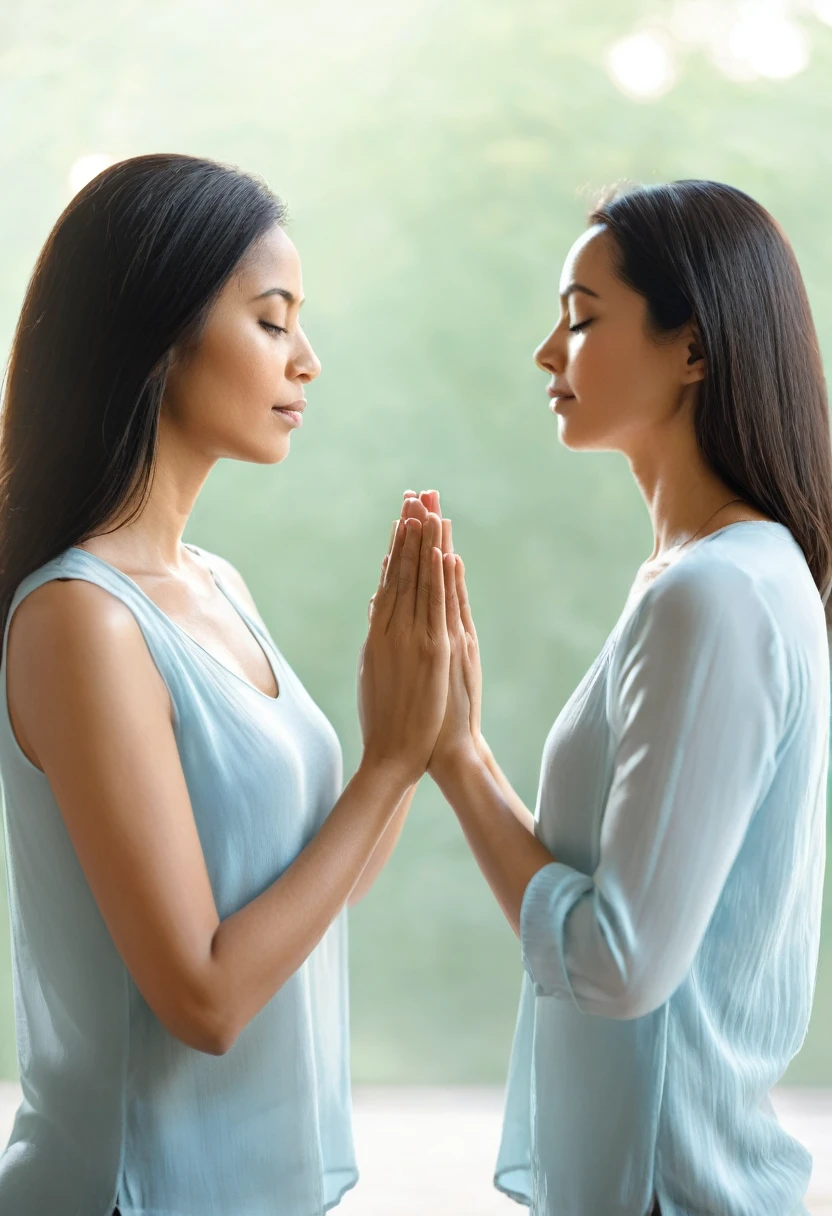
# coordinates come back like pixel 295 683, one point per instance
pixel 549 898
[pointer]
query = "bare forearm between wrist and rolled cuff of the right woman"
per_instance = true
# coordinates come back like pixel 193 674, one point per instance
pixel 507 852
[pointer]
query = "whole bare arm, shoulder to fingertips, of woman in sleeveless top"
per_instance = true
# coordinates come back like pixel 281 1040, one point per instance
pixel 93 708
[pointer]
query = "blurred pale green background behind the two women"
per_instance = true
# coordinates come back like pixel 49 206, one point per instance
pixel 439 161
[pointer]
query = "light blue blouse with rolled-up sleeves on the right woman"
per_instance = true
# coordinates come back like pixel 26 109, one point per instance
pixel 672 948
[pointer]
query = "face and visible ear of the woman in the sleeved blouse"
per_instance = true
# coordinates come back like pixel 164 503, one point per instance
pixel 616 382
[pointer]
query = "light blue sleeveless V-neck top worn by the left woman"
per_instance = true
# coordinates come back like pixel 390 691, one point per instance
pixel 115 1108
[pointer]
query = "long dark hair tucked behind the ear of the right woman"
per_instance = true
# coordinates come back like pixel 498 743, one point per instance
pixel 709 252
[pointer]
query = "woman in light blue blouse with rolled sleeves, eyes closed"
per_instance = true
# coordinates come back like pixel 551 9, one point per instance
pixel 667 893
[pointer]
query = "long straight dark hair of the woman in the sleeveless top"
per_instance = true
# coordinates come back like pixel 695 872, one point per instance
pixel 130 271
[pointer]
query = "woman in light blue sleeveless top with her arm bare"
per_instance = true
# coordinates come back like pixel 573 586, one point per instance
pixel 181 853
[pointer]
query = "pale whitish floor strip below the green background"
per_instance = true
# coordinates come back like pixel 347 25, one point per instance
pixel 432 1150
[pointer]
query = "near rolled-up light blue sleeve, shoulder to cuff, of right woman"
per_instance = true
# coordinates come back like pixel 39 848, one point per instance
pixel 698 703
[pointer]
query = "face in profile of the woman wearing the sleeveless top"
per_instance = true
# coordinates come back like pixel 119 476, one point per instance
pixel 224 396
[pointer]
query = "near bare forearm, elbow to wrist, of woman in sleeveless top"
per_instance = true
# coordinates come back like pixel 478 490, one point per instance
pixel 258 948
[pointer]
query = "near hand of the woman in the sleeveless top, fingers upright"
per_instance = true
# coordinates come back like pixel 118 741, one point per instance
pixel 404 662
